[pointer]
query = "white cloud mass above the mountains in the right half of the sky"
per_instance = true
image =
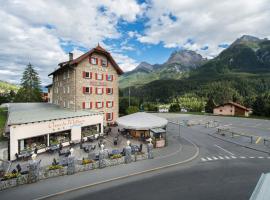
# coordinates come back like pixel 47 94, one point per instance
pixel 206 21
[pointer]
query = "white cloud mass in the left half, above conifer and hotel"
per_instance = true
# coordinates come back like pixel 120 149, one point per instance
pixel 34 30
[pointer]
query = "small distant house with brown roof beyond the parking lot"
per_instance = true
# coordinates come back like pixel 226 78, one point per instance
pixel 232 109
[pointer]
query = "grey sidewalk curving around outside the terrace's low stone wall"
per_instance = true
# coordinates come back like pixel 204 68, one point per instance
pixel 43 188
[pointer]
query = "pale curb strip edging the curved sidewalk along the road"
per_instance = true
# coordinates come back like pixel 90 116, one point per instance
pixel 125 176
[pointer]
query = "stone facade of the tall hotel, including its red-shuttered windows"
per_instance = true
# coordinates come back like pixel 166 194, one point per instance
pixel 88 85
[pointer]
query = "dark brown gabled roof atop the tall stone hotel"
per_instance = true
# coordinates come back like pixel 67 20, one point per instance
pixel 98 49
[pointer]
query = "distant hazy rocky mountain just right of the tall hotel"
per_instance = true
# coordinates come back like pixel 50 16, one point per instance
pixel 176 67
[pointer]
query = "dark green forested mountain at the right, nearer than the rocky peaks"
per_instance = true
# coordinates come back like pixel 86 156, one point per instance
pixel 239 73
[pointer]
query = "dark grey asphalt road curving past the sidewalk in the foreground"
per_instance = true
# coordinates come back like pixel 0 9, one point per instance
pixel 232 177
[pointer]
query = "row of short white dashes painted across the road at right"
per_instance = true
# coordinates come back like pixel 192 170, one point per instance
pixel 230 157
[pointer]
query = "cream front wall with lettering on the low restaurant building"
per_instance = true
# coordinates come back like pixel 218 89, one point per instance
pixel 24 131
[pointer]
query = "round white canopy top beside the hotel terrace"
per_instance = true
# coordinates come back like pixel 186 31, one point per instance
pixel 141 121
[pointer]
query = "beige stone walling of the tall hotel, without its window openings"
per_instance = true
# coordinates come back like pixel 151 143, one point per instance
pixel 76 98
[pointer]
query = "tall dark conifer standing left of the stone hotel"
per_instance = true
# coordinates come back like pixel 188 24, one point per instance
pixel 30 86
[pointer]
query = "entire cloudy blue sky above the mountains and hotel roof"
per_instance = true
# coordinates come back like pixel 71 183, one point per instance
pixel 43 32
